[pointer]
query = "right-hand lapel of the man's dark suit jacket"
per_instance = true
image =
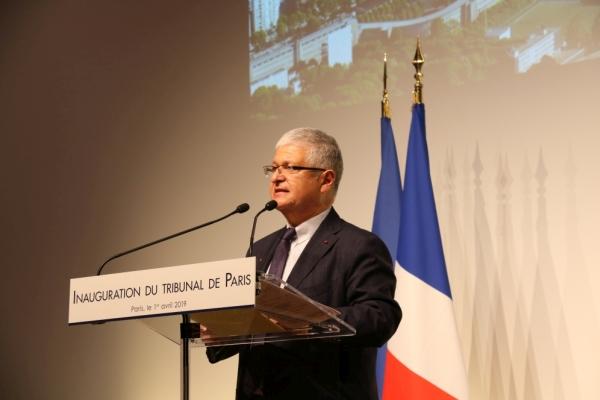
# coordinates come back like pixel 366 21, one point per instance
pixel 322 241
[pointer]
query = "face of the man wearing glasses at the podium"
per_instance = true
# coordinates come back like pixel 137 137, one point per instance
pixel 299 195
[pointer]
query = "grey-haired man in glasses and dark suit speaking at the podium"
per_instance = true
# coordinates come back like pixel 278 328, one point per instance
pixel 332 262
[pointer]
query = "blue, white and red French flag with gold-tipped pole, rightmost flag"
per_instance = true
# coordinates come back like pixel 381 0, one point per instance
pixel 426 348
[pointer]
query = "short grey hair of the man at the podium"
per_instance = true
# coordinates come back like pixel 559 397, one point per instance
pixel 323 150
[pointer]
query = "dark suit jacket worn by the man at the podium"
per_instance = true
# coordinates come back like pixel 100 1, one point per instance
pixel 344 267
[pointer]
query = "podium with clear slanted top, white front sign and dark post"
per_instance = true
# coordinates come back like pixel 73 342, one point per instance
pixel 221 303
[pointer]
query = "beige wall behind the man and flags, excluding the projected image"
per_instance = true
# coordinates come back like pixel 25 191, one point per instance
pixel 124 122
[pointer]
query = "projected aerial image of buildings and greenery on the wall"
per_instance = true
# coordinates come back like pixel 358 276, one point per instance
pixel 296 45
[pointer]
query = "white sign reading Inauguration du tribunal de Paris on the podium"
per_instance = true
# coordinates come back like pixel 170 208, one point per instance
pixel 169 290
